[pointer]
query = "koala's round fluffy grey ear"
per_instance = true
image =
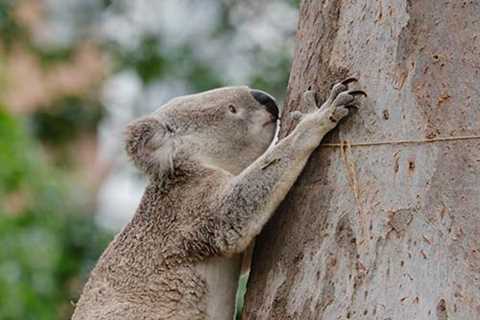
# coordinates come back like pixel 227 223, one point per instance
pixel 150 145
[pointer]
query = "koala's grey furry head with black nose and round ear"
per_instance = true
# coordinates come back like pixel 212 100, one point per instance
pixel 226 128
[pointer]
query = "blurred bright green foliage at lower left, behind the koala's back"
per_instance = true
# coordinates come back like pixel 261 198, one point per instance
pixel 47 241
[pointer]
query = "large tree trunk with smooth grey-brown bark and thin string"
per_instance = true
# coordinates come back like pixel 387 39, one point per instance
pixel 389 230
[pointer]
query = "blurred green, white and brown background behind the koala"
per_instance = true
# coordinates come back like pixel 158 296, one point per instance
pixel 72 74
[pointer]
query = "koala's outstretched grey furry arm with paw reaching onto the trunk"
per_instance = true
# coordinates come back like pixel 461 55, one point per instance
pixel 251 197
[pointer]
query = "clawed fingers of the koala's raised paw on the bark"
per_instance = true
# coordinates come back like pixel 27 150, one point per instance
pixel 339 102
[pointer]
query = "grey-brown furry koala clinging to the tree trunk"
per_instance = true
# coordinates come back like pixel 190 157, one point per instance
pixel 215 178
